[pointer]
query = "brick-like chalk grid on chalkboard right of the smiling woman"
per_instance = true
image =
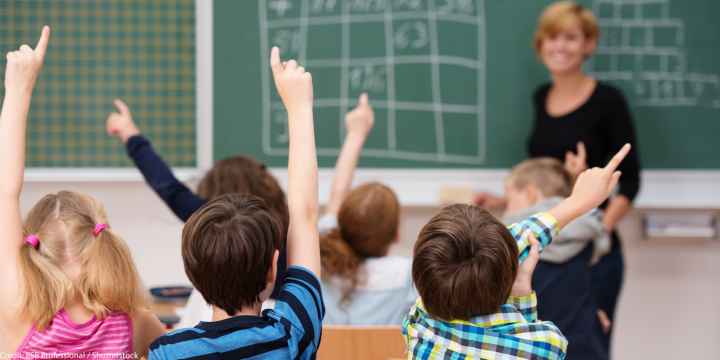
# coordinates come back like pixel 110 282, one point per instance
pixel 643 47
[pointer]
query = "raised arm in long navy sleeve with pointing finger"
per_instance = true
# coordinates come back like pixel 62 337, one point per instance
pixel 178 197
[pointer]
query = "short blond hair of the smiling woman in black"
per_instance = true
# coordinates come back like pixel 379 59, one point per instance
pixel 562 15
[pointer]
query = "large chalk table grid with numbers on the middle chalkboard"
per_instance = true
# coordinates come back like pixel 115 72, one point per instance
pixel 408 34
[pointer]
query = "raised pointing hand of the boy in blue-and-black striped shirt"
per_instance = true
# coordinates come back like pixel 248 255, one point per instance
pixel 294 85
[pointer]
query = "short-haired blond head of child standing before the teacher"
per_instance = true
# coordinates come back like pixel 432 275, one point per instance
pixel 534 180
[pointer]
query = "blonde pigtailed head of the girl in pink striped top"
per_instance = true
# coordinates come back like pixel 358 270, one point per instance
pixel 77 257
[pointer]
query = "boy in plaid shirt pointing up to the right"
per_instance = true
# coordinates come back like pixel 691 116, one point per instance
pixel 475 300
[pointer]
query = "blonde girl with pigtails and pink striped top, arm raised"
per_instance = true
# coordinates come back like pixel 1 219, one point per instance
pixel 69 284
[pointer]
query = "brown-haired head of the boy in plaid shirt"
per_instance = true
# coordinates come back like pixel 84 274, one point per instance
pixel 464 263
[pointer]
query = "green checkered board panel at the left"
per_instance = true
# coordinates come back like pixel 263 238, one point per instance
pixel 141 51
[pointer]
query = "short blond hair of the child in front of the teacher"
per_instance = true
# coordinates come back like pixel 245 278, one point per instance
pixel 547 174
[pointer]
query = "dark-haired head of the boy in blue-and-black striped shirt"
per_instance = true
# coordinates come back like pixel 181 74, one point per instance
pixel 230 250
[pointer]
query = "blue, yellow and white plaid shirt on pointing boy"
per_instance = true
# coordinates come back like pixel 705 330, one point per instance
pixel 512 333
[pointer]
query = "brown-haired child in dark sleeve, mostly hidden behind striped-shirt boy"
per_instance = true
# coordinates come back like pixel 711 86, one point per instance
pixel 239 174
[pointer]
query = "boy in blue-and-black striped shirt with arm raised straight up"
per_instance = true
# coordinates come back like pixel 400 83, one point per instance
pixel 230 250
